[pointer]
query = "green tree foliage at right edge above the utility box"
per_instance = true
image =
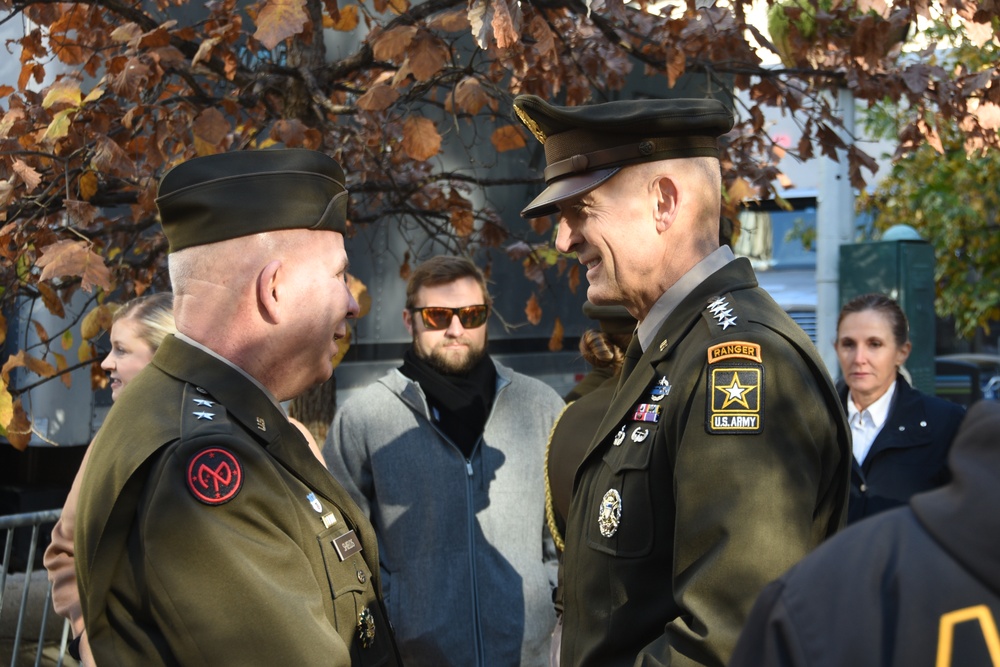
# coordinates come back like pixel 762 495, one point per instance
pixel 946 188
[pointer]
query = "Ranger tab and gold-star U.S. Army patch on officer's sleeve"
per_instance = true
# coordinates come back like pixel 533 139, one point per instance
pixel 735 399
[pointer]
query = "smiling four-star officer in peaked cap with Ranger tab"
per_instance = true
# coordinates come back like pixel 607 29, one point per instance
pixel 724 456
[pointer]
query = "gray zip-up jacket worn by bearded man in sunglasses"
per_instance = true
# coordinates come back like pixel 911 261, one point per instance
pixel 467 563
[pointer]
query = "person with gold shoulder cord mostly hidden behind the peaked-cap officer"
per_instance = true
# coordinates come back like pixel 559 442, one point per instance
pixel 604 349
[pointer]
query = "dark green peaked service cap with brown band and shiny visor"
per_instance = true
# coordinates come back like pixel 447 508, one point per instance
pixel 587 145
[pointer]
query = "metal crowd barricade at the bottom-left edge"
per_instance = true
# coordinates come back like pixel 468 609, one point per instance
pixel 34 521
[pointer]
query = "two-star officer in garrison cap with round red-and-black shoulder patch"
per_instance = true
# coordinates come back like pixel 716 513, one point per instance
pixel 208 533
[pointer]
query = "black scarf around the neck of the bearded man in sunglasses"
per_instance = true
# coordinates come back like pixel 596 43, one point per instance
pixel 459 404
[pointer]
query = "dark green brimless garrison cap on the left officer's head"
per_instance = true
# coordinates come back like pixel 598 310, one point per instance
pixel 229 195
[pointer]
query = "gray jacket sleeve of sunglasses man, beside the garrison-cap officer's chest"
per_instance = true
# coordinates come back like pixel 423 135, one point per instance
pixel 346 455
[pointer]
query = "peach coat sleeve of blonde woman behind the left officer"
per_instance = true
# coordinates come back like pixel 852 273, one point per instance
pixel 59 559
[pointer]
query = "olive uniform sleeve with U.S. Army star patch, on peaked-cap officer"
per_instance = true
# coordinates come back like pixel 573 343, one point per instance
pixel 751 501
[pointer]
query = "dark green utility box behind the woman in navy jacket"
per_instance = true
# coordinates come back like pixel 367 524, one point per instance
pixel 902 269
